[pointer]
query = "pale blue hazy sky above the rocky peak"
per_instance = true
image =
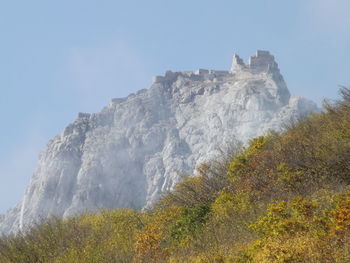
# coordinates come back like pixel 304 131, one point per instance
pixel 58 58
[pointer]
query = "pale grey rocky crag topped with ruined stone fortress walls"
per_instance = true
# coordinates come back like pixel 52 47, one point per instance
pixel 133 150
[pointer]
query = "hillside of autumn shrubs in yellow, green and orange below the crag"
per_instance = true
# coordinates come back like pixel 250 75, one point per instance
pixel 283 198
